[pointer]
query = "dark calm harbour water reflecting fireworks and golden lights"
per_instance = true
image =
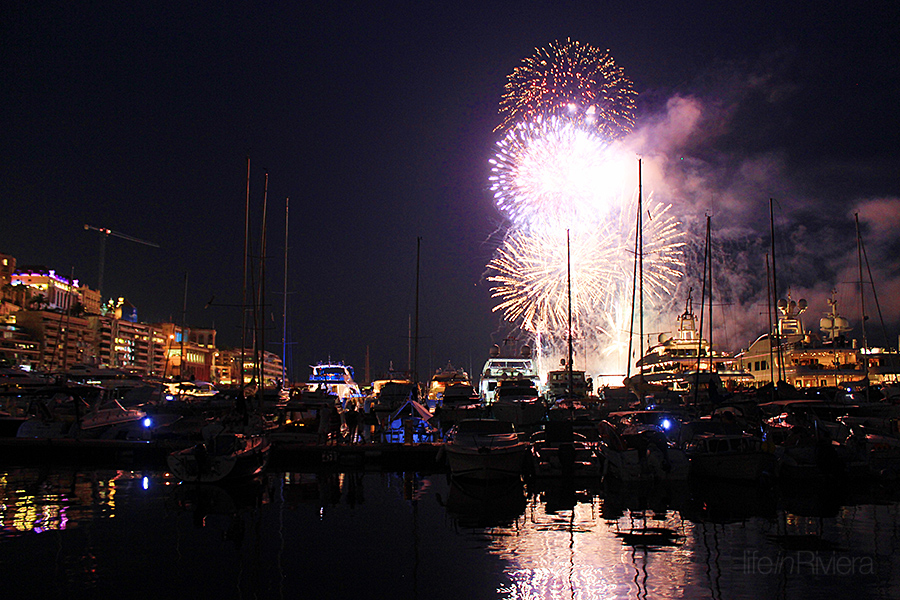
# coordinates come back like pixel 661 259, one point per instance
pixel 103 534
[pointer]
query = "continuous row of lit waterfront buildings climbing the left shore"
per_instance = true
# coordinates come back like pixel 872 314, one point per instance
pixel 50 323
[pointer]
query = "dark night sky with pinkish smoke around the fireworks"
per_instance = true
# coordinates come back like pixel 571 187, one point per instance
pixel 377 121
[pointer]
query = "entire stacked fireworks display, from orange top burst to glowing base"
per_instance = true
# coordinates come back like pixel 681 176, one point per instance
pixel 561 167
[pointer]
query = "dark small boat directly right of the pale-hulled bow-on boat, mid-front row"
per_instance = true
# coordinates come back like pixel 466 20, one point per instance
pixel 560 451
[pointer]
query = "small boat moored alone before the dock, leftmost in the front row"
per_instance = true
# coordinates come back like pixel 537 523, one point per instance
pixel 222 456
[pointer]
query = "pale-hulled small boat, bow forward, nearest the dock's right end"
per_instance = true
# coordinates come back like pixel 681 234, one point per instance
pixel 485 449
